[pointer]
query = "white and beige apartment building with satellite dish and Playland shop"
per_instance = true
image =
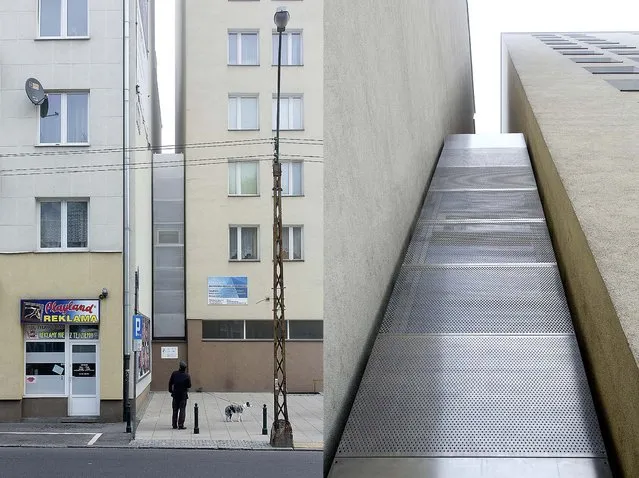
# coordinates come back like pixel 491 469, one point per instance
pixel 77 103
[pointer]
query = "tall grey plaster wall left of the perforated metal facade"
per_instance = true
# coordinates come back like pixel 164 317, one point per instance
pixel 397 81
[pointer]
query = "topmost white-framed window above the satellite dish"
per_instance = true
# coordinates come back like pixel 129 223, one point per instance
pixel 64 18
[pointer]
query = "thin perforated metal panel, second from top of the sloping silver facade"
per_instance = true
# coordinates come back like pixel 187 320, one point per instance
pixel 490 157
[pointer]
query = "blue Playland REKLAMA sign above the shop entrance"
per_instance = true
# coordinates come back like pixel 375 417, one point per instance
pixel 66 311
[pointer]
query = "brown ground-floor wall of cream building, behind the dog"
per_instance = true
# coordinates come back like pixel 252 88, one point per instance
pixel 247 366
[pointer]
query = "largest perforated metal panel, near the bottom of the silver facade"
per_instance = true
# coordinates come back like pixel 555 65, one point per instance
pixel 473 396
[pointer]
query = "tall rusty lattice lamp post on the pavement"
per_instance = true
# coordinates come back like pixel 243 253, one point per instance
pixel 281 431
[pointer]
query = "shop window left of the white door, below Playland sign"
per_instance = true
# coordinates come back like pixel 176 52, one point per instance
pixel 45 368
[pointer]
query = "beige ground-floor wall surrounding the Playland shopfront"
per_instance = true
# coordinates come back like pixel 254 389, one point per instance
pixel 81 275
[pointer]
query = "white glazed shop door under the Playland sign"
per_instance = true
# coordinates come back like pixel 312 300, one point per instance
pixel 84 393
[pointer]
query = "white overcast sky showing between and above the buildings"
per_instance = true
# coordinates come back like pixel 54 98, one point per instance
pixel 488 18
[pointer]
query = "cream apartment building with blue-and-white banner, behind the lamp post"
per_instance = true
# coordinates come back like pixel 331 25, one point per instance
pixel 225 117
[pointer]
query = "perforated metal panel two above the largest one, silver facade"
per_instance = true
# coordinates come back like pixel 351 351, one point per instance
pixel 479 243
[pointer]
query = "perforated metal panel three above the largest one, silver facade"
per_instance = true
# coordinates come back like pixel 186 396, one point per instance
pixel 449 205
